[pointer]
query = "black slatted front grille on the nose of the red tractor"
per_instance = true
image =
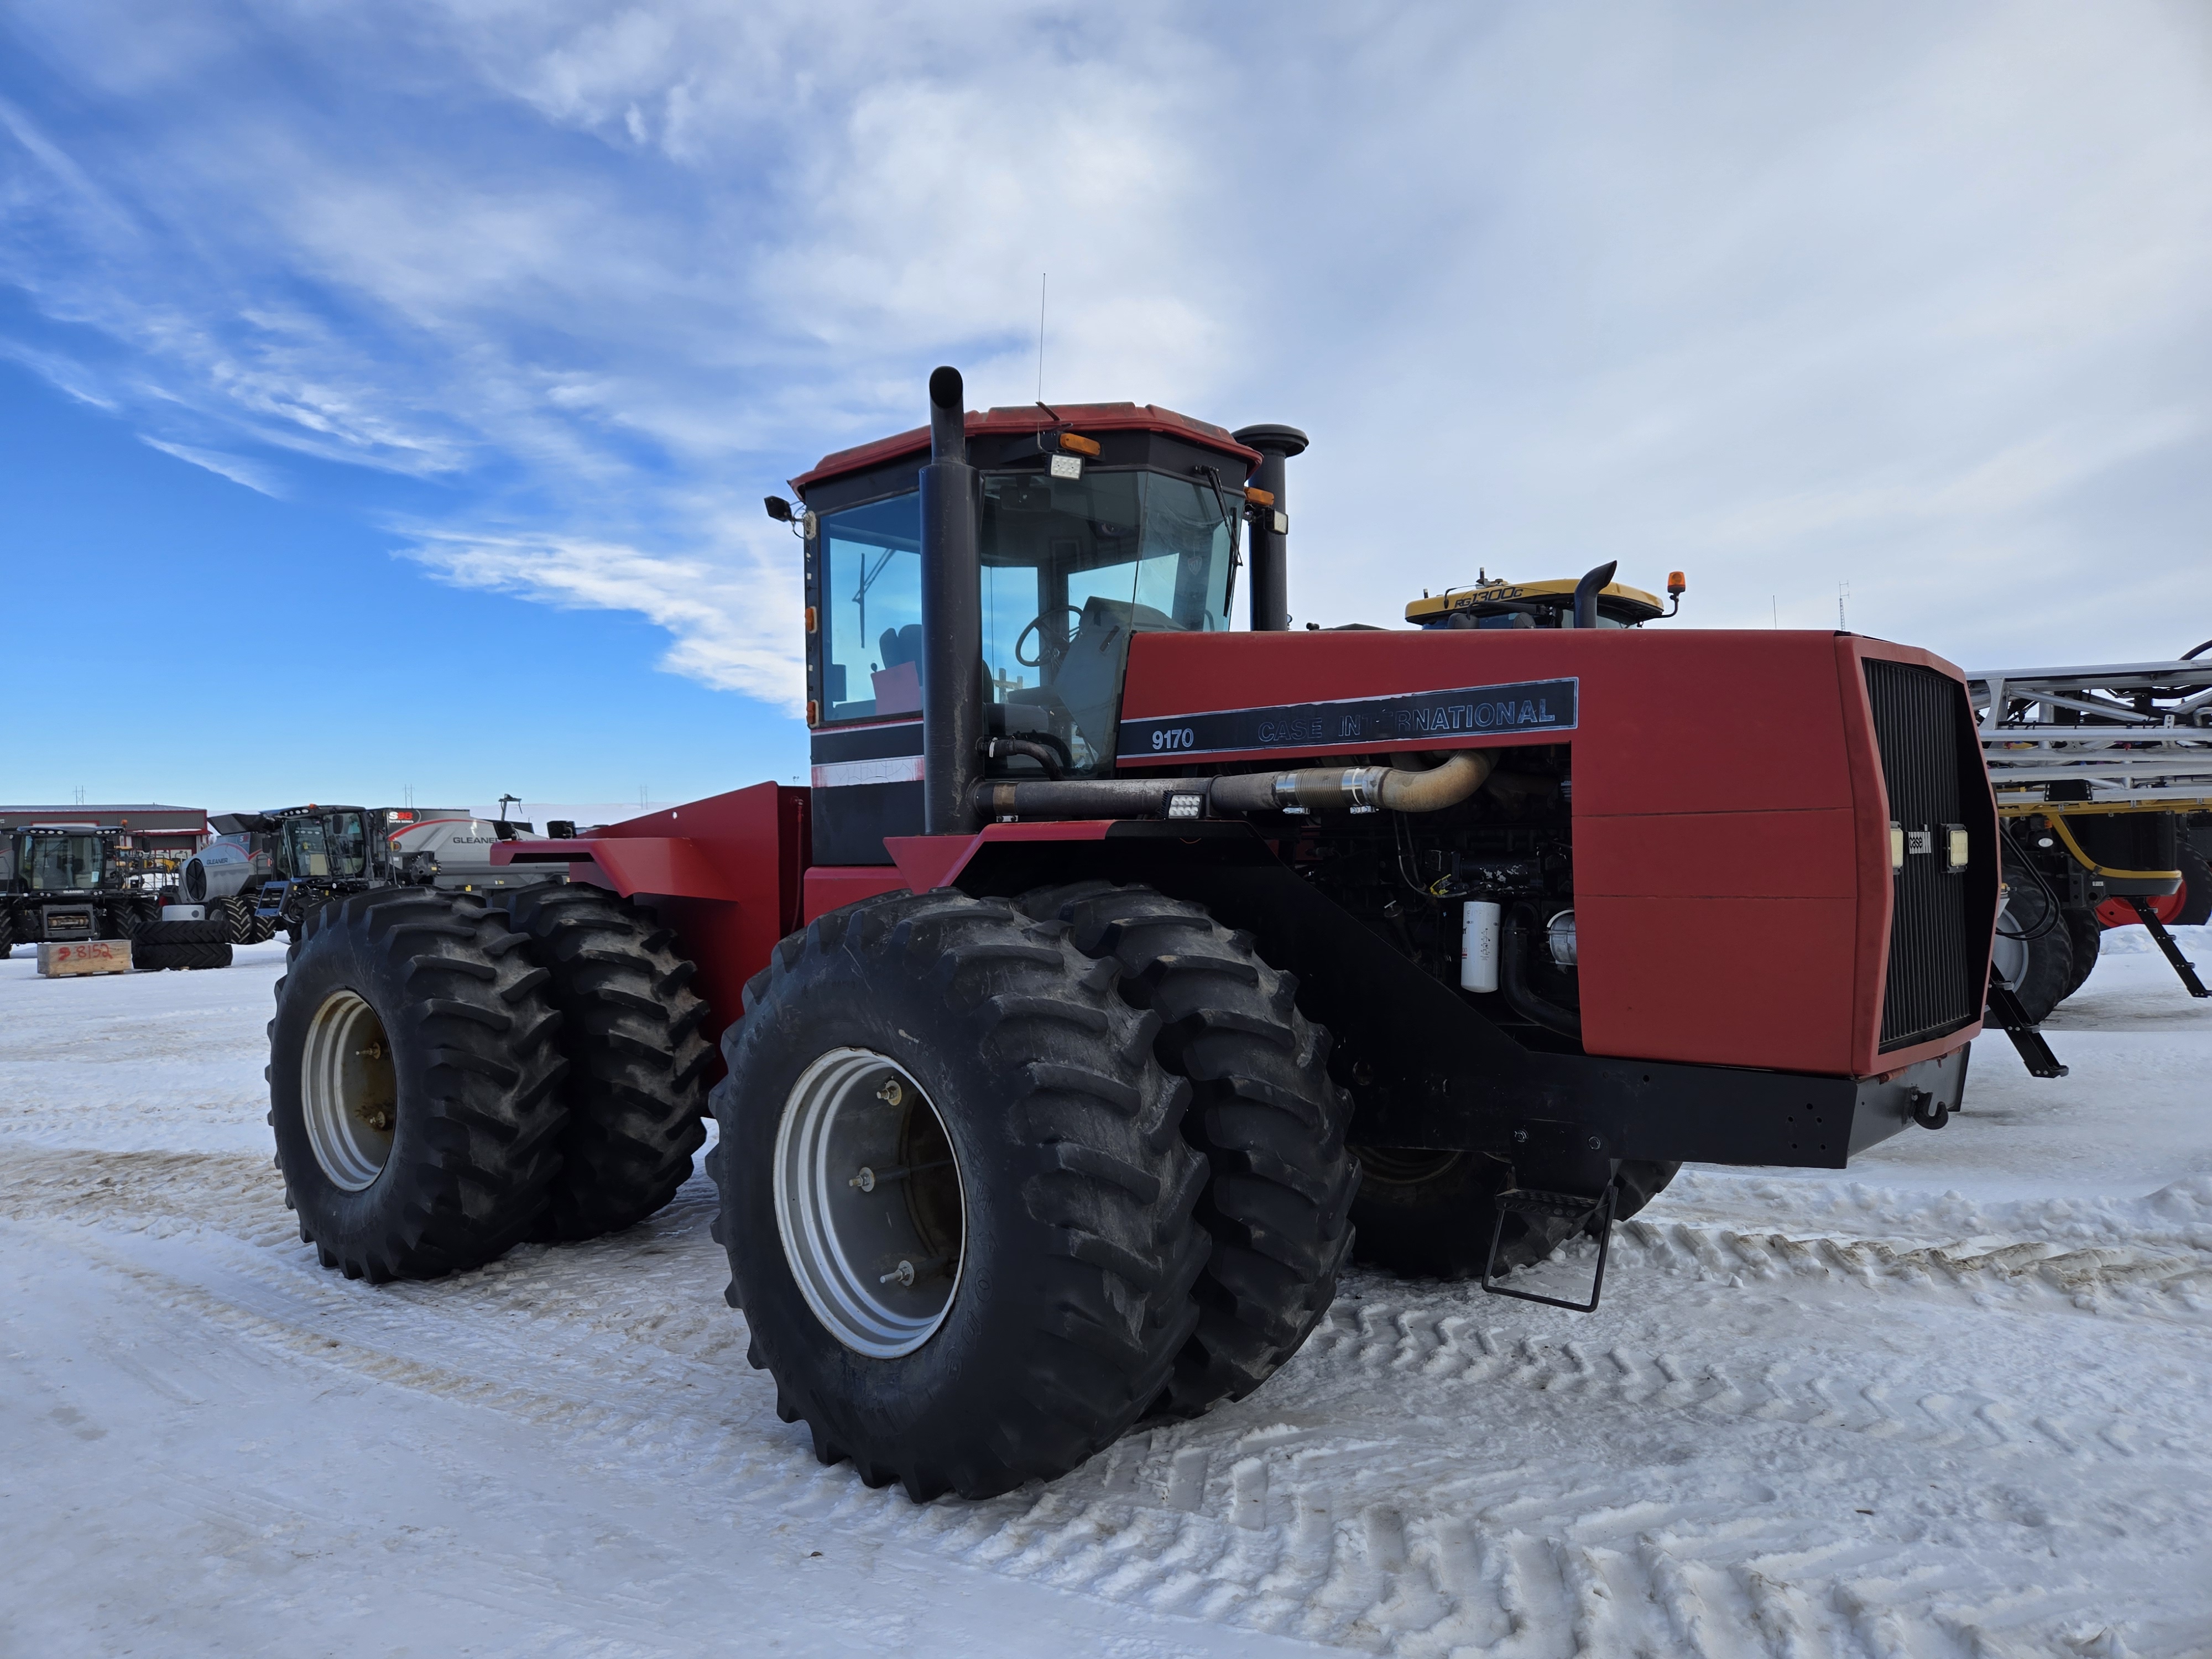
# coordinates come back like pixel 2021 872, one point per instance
pixel 1926 733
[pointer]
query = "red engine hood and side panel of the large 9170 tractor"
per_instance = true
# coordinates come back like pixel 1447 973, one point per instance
pixel 1729 811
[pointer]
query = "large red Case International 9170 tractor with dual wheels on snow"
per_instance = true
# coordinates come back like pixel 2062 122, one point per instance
pixel 1120 970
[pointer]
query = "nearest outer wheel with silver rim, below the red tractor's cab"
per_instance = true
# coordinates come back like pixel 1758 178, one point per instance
pixel 1056 1224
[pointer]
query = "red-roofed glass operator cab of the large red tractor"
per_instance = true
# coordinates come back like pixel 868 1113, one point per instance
pixel 1096 523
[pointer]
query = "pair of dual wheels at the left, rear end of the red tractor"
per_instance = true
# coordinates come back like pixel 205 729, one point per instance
pixel 450 1078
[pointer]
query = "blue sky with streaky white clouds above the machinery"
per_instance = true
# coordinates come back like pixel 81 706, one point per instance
pixel 388 393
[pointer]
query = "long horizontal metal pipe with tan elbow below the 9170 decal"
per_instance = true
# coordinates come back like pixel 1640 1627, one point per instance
pixel 1315 789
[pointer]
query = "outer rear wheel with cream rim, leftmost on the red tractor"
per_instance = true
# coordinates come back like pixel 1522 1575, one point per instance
pixel 415 1085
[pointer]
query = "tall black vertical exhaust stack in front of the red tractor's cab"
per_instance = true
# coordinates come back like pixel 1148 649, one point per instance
pixel 952 618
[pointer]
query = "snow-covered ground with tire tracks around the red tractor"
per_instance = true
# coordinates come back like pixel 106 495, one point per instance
pixel 1957 1401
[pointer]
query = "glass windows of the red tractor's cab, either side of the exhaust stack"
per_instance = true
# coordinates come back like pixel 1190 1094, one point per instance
pixel 1070 570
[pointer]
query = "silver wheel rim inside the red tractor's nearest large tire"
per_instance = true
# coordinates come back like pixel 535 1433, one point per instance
pixel 870 1202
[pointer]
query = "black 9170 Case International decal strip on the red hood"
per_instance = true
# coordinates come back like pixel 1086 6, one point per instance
pixel 1470 711
